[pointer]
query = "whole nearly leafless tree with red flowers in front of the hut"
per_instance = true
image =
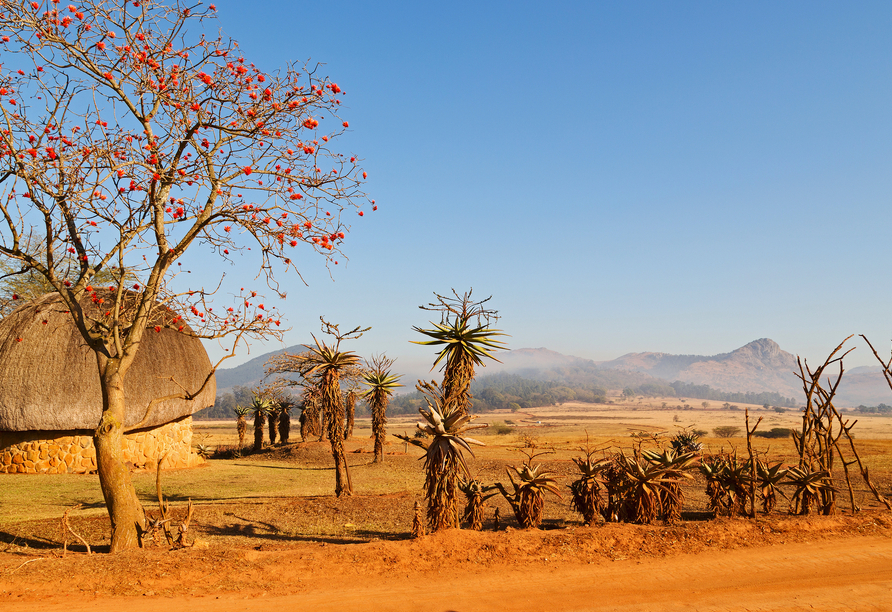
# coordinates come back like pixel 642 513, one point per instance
pixel 127 137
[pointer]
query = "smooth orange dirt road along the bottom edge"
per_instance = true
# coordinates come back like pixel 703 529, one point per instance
pixel 852 573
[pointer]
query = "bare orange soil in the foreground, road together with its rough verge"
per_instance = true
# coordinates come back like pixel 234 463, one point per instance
pixel 822 563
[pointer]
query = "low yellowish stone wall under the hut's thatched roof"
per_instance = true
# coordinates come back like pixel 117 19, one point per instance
pixel 72 452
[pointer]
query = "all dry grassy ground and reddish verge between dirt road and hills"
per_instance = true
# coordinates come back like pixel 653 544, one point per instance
pixel 281 500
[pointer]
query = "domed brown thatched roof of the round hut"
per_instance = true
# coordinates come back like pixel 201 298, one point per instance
pixel 49 378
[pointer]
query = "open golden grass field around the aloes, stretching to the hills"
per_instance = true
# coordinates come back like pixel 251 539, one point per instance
pixel 299 471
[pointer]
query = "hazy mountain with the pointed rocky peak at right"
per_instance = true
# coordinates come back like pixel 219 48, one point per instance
pixel 760 366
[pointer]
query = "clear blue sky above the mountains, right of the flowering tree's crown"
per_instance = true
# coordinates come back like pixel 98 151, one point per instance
pixel 621 177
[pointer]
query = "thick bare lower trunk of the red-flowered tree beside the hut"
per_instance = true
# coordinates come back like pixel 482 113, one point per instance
pixel 124 509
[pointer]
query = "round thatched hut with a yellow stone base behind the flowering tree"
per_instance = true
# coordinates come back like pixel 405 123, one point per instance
pixel 50 397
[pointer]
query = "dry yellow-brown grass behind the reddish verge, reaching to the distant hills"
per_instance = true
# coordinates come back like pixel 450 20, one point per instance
pixel 285 494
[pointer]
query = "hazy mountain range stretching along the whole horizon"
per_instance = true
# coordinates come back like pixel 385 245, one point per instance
pixel 760 366
